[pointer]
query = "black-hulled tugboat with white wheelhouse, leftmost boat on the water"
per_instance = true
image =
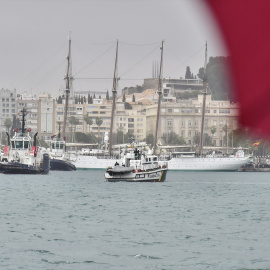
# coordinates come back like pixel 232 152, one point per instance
pixel 22 155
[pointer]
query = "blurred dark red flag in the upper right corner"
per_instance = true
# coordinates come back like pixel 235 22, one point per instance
pixel 245 28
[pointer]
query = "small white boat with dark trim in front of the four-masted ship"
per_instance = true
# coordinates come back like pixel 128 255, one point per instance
pixel 137 167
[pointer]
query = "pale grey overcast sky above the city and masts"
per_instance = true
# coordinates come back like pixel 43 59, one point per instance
pixel 34 41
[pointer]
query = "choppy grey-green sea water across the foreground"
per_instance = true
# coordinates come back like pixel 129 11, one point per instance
pixel 76 220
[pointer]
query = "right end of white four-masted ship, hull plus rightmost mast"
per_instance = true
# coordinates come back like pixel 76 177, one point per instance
pixel 206 162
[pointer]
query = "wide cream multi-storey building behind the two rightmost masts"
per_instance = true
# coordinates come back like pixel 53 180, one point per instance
pixel 185 116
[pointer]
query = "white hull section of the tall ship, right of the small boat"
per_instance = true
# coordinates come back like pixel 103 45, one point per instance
pixel 207 163
